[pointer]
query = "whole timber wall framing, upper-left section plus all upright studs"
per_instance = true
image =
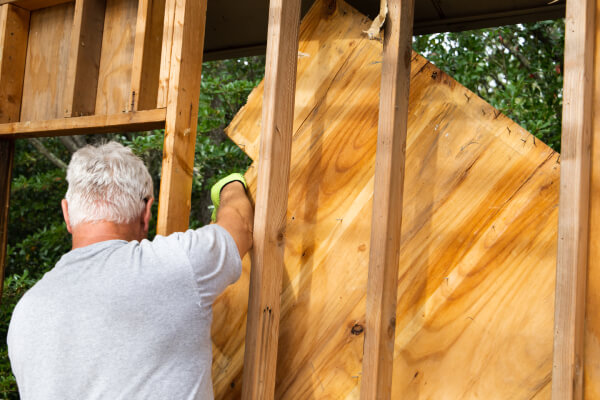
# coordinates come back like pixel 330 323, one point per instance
pixel 81 93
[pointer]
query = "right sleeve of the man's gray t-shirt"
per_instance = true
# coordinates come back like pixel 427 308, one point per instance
pixel 214 258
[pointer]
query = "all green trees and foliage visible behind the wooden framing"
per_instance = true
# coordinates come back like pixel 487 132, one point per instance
pixel 518 69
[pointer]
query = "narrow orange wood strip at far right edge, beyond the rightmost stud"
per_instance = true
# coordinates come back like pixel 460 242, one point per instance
pixel 591 360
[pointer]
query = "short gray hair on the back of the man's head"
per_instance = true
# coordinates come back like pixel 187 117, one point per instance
pixel 107 183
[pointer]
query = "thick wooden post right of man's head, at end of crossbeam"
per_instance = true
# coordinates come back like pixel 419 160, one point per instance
pixel 180 77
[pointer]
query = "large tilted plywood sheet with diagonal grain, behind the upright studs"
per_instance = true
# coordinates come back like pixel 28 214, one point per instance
pixel 479 230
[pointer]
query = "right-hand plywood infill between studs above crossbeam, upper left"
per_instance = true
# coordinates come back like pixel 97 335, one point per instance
pixel 114 82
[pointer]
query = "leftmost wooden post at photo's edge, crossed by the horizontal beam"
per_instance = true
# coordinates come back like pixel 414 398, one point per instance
pixel 14 29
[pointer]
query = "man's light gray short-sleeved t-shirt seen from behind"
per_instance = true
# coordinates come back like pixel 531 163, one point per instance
pixel 124 320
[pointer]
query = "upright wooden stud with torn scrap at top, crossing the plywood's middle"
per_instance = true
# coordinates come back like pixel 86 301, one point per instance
pixel 387 203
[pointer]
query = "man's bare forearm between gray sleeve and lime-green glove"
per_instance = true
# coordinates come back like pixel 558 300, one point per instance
pixel 236 215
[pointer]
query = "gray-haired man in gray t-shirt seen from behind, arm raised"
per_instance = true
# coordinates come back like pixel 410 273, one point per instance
pixel 121 317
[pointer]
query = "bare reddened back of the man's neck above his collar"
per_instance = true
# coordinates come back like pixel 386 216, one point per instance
pixel 86 234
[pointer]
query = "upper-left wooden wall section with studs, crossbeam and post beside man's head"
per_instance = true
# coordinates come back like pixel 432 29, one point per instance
pixel 86 90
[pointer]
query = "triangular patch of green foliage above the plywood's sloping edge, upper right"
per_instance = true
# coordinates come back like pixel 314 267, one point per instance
pixel 517 69
